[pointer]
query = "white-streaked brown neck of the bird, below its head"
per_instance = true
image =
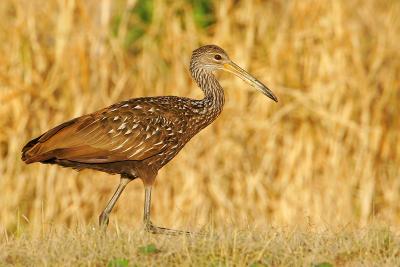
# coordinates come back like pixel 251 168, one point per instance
pixel 214 99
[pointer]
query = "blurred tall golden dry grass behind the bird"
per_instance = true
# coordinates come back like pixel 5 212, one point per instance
pixel 327 154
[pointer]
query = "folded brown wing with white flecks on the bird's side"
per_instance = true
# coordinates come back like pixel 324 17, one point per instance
pixel 118 133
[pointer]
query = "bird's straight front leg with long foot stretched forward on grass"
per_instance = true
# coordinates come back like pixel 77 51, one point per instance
pixel 148 225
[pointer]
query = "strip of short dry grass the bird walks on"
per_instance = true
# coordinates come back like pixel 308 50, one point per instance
pixel 374 246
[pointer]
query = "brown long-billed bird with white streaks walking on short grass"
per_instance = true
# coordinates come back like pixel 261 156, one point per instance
pixel 137 137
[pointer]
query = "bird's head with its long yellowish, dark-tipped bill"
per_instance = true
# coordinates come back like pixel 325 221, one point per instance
pixel 212 58
